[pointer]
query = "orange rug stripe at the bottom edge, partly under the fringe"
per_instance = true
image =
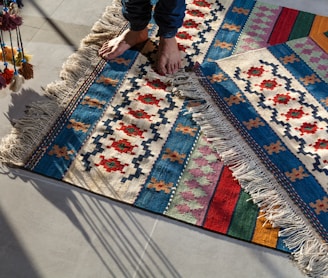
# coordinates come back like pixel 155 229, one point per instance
pixel 264 234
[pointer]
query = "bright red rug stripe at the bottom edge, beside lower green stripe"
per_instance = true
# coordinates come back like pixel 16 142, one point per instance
pixel 221 209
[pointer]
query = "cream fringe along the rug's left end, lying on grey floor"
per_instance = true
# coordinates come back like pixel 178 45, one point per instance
pixel 28 132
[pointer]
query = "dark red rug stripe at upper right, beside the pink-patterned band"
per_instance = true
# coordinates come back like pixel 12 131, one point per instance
pixel 283 27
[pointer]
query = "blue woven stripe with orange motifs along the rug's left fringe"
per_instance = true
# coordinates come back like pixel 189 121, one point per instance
pixel 71 139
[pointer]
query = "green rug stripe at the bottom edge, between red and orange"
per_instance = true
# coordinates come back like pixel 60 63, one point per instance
pixel 244 218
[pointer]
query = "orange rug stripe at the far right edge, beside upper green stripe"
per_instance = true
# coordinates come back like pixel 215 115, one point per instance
pixel 319 27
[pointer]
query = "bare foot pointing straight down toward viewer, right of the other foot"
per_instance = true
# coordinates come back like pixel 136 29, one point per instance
pixel 169 58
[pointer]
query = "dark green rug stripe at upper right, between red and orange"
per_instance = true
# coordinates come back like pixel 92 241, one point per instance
pixel 302 26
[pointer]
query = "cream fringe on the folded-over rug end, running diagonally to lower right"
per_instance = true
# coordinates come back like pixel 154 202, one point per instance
pixel 309 250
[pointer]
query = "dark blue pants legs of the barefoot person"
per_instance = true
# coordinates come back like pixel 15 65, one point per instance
pixel 169 15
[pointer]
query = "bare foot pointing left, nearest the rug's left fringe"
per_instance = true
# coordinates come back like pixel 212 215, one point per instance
pixel 117 46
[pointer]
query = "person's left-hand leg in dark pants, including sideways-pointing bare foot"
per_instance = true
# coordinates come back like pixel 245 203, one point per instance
pixel 138 13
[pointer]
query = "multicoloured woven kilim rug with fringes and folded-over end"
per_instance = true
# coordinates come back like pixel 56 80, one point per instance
pixel 236 145
